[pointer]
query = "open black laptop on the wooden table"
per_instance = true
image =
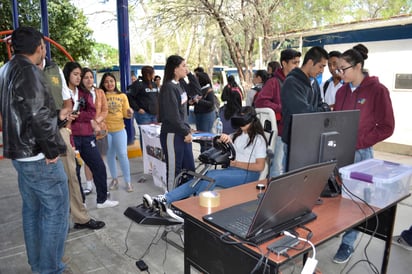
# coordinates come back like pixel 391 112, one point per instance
pixel 287 202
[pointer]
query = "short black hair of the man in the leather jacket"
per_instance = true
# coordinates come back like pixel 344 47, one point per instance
pixel 25 40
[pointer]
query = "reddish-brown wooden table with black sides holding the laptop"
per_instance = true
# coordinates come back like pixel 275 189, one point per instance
pixel 204 250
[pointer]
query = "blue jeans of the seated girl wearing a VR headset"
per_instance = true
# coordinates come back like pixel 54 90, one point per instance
pixel 225 178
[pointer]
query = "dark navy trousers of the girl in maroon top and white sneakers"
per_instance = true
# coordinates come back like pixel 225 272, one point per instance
pixel 86 145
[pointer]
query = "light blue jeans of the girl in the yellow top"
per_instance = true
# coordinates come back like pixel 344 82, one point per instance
pixel 117 146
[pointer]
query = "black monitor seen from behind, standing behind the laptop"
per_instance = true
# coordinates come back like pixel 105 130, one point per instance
pixel 323 136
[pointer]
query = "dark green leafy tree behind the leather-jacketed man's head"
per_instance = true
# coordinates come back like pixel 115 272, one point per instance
pixel 67 26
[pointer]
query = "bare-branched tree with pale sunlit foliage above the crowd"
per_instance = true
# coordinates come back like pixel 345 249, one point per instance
pixel 242 23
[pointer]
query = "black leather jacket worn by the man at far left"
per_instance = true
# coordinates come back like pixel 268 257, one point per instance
pixel 29 116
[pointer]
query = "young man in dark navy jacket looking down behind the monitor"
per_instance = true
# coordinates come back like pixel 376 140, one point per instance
pixel 300 92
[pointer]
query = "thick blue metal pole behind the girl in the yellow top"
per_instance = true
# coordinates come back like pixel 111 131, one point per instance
pixel 124 57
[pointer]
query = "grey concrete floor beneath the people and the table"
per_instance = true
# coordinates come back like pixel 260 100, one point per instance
pixel 115 248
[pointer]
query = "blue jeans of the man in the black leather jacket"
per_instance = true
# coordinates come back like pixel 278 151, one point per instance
pixel 45 195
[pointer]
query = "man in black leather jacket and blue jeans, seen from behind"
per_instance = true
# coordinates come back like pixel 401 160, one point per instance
pixel 31 139
